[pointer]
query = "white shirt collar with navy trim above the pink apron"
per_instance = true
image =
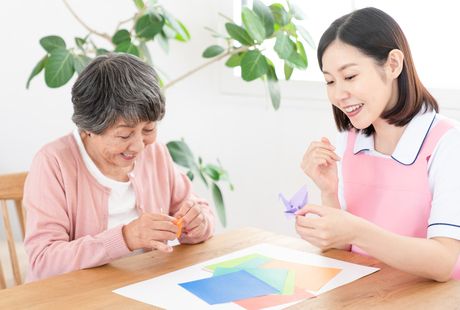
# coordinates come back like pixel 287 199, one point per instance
pixel 409 144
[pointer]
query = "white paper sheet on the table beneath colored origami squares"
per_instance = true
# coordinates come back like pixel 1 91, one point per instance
pixel 164 291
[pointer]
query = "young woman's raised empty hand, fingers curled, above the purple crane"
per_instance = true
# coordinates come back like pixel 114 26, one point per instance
pixel 320 164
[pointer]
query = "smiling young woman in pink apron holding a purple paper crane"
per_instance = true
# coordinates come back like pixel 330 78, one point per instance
pixel 391 186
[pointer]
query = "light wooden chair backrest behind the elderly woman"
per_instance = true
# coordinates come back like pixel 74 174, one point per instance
pixel 12 189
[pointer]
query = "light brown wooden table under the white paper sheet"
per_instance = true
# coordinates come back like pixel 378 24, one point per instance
pixel 92 288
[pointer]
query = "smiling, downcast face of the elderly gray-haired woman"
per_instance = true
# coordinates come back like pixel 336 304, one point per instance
pixel 115 150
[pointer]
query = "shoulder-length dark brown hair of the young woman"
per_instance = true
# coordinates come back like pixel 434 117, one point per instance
pixel 375 34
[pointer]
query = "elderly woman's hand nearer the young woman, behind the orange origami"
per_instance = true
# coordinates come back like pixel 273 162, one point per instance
pixel 194 221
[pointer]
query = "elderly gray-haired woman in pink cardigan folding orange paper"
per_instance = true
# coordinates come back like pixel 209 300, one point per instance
pixel 108 188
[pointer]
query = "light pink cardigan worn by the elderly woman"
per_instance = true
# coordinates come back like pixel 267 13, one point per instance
pixel 67 209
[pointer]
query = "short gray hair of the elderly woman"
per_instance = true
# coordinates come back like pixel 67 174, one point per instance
pixel 115 86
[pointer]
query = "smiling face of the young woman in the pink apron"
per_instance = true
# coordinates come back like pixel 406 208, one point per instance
pixel 358 85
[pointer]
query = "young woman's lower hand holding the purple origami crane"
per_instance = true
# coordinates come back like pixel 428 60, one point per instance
pixel 331 228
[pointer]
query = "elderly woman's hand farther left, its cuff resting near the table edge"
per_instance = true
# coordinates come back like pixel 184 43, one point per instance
pixel 150 230
